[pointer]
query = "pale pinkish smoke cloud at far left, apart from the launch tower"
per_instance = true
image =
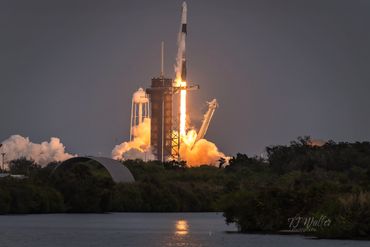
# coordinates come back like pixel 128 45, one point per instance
pixel 16 147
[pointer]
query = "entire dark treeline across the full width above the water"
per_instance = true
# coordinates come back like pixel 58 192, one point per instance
pixel 302 187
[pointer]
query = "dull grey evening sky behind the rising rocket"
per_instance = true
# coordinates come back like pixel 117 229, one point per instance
pixel 279 69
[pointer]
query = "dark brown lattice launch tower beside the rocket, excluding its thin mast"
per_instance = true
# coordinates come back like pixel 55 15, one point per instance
pixel 160 93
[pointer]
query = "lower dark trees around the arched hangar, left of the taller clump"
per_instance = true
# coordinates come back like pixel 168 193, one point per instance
pixel 87 187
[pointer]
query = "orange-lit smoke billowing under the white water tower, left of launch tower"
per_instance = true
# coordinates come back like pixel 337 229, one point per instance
pixel 139 147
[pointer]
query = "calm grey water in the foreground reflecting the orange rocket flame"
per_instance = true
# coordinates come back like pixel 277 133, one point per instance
pixel 141 229
